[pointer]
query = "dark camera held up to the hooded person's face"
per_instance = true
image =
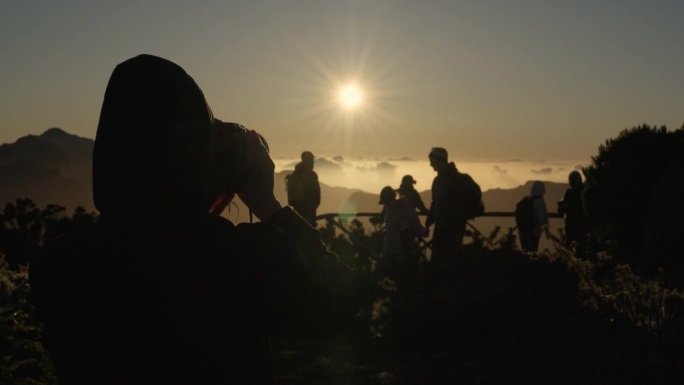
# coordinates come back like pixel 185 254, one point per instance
pixel 229 161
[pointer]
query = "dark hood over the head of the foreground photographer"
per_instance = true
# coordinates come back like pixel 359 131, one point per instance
pixel 152 142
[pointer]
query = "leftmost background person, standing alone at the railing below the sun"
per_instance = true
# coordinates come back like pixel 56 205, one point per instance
pixel 303 189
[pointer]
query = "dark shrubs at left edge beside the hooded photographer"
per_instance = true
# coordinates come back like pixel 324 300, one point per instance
pixel 23 229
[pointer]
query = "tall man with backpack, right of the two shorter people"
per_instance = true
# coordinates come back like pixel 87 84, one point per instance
pixel 456 198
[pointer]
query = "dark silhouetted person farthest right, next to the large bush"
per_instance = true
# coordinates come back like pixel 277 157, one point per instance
pixel 572 209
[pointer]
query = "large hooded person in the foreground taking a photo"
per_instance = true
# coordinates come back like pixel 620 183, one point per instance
pixel 159 290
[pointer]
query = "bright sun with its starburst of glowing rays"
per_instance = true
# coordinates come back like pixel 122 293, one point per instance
pixel 348 98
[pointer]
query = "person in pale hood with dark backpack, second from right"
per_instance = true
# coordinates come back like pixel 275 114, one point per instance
pixel 532 218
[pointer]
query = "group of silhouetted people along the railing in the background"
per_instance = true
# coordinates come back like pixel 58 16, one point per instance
pixel 448 212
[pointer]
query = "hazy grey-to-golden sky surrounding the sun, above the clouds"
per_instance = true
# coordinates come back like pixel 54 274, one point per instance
pixel 488 80
